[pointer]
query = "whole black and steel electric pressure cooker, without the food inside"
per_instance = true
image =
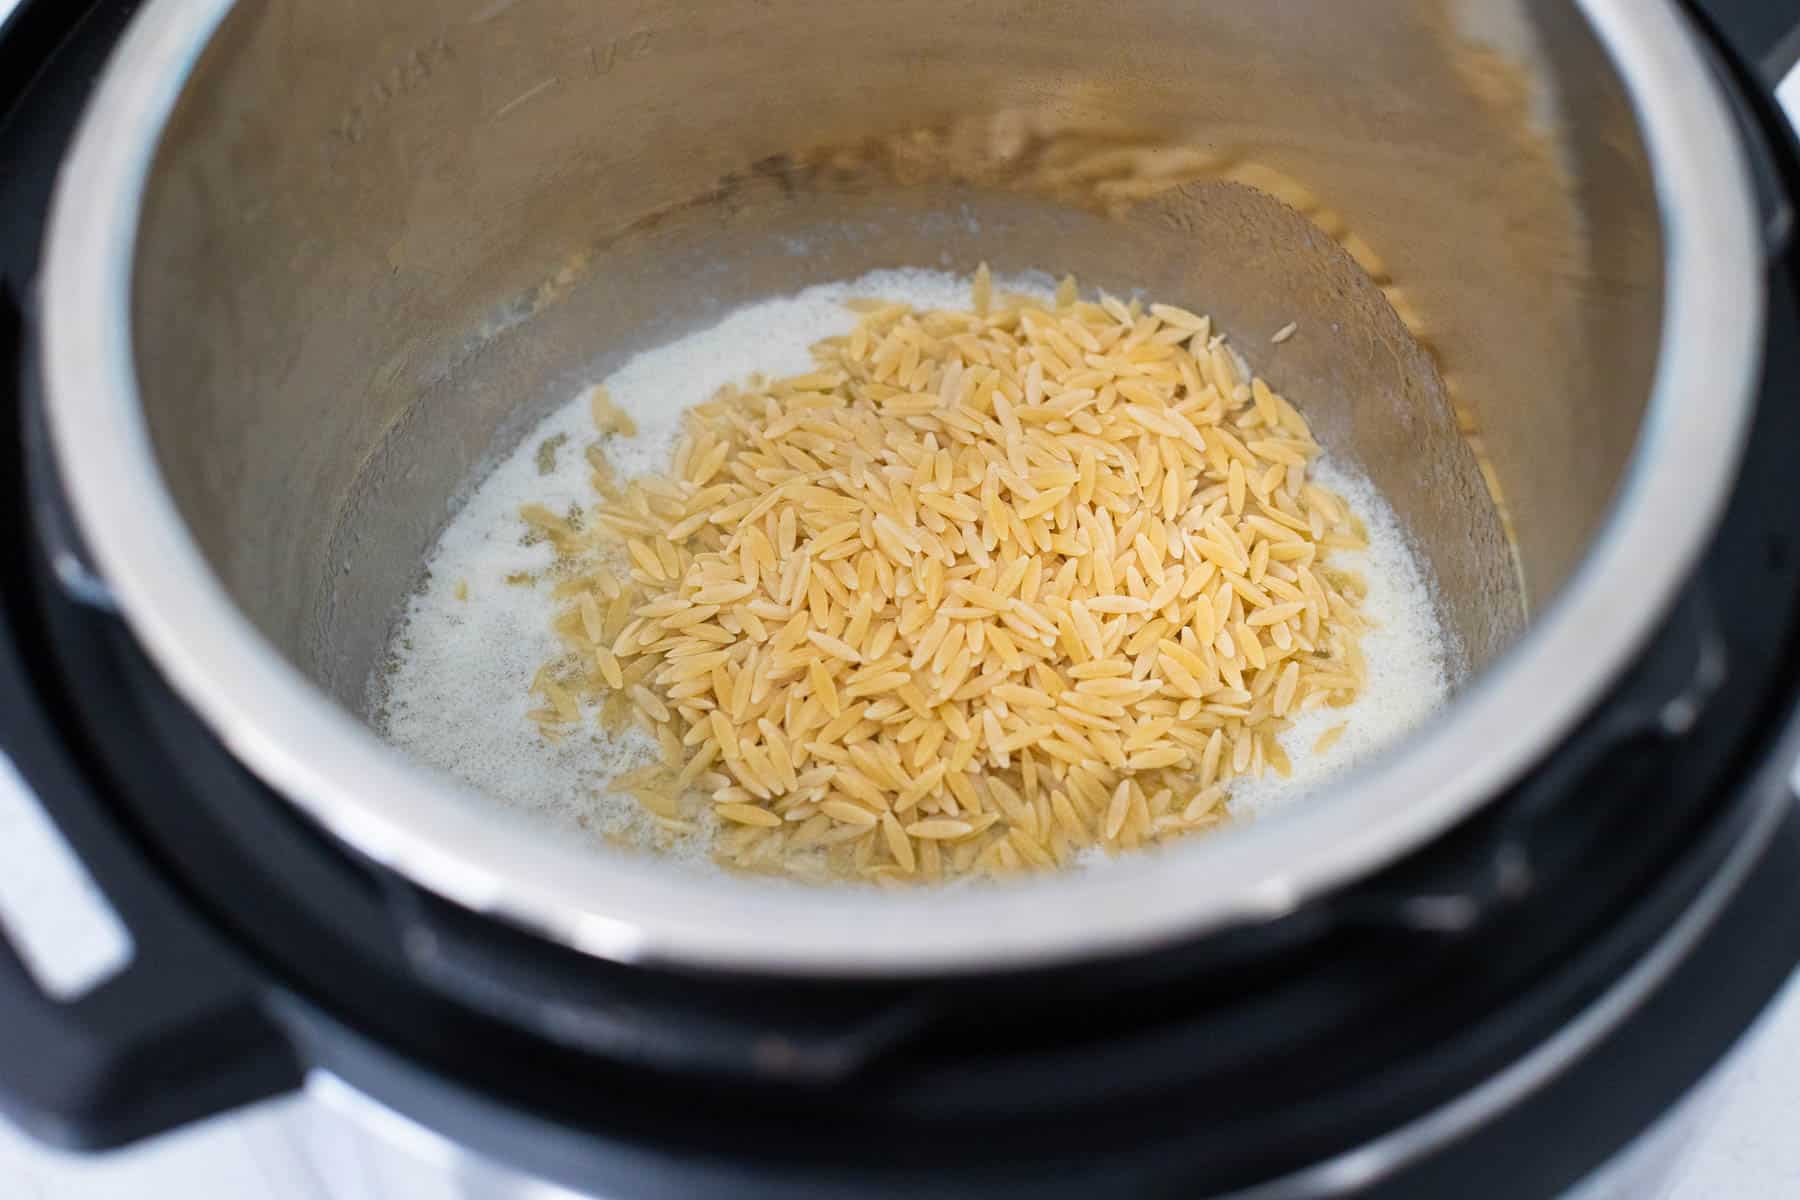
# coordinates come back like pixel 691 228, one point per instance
pixel 280 274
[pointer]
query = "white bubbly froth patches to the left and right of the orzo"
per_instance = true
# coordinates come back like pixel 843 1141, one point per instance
pixel 454 695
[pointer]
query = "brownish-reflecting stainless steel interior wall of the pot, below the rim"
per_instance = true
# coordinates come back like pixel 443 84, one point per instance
pixel 381 242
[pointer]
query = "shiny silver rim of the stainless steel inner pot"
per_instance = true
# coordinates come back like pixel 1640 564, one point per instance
pixel 469 850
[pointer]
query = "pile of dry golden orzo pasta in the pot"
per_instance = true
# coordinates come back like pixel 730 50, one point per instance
pixel 984 591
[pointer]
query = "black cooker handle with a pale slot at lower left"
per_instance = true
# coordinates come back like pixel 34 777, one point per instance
pixel 121 1014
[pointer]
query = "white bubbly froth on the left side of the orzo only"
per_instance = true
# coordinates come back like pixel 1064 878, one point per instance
pixel 454 695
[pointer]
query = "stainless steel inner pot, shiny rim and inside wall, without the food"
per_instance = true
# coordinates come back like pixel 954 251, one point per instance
pixel 312 262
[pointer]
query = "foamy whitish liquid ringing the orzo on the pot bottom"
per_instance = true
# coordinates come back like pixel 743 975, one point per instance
pixel 474 638
